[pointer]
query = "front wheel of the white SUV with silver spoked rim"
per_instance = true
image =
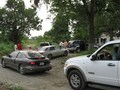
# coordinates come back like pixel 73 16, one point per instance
pixel 76 80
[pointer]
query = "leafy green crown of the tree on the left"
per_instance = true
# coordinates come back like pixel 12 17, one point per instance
pixel 18 21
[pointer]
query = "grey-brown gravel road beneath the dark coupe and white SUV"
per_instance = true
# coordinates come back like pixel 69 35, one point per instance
pixel 50 80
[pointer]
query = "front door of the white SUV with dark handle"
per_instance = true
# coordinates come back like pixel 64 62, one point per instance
pixel 103 70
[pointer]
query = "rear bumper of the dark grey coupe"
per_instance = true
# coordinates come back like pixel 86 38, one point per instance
pixel 29 69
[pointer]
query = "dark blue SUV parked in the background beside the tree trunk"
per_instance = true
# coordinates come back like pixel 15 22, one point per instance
pixel 76 46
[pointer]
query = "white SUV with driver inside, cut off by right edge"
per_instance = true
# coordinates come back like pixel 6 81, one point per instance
pixel 100 69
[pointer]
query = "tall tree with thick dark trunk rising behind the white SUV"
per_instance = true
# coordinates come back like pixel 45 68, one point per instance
pixel 88 8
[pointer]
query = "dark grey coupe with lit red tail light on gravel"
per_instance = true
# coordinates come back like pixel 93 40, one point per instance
pixel 26 61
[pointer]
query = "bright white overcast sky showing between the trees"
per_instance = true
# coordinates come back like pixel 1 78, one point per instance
pixel 42 14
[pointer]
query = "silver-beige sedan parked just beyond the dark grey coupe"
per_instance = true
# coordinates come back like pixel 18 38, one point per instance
pixel 53 51
